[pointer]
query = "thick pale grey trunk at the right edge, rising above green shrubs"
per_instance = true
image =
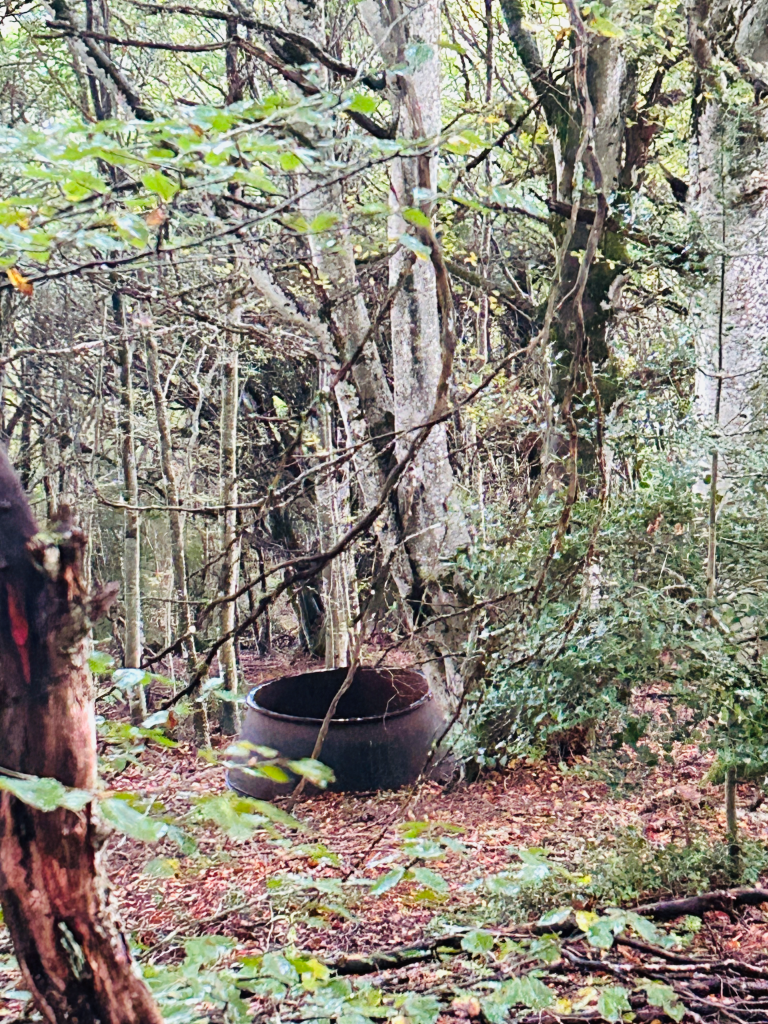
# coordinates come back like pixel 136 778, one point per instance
pixel 730 201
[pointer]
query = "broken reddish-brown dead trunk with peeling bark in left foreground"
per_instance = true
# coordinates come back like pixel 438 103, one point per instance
pixel 74 959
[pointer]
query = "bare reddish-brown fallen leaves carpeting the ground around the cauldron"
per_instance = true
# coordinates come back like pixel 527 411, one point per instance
pixel 576 814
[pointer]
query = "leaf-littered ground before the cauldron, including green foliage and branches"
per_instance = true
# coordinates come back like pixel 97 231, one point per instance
pixel 437 905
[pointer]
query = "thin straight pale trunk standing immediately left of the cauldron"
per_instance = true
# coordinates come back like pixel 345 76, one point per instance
pixel 229 579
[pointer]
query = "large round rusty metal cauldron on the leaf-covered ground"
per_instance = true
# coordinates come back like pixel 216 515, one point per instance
pixel 378 740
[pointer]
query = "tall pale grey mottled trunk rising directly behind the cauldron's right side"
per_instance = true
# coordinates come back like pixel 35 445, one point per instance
pixel 433 523
